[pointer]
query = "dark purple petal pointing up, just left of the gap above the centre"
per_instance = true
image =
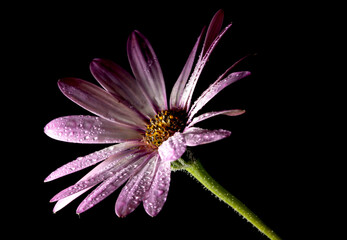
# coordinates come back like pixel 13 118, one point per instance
pixel 146 69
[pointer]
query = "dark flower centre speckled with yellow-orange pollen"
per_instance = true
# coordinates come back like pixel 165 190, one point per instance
pixel 164 125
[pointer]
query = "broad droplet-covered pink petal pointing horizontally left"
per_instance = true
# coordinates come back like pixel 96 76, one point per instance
pixel 89 129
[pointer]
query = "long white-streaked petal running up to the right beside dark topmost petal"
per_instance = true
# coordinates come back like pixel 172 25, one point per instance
pixel 189 89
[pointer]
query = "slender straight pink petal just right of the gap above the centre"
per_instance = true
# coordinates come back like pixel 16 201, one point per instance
pixel 178 88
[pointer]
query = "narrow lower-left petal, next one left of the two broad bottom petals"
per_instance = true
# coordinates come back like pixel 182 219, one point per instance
pixel 109 185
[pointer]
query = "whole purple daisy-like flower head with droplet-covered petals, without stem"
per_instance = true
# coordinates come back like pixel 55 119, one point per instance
pixel 133 112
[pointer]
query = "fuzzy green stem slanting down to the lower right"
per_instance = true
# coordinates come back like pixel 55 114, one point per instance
pixel 195 168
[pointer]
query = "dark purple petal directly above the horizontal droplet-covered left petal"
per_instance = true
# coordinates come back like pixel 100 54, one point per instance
pixel 100 102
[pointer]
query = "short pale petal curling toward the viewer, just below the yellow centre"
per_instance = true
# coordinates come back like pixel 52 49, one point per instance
pixel 173 148
